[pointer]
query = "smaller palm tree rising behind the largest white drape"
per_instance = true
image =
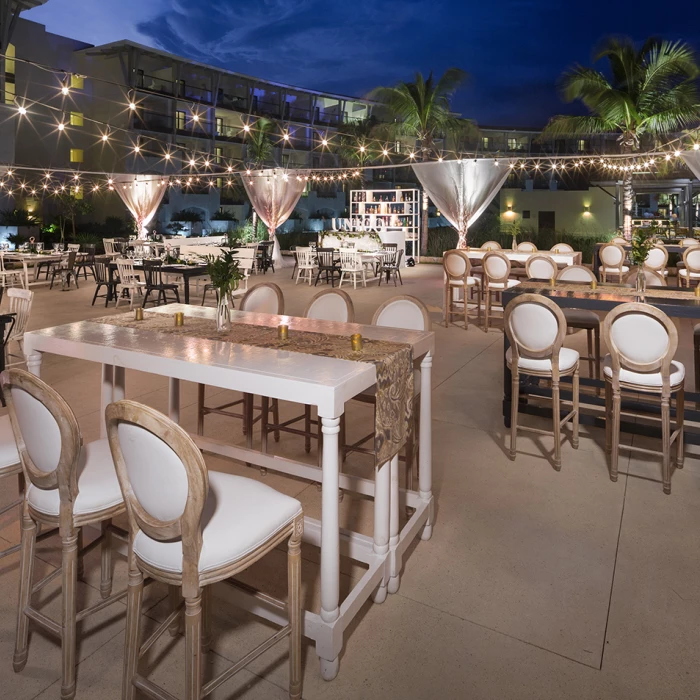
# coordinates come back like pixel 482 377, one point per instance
pixel 422 111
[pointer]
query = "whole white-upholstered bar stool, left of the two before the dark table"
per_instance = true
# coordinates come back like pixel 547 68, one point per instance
pixel 535 327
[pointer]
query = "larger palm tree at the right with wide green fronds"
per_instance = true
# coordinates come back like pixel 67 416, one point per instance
pixel 651 93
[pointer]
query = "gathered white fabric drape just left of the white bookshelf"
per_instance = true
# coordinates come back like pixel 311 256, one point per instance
pixel 274 193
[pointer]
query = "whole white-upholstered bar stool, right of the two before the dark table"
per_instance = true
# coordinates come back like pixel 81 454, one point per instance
pixel 642 341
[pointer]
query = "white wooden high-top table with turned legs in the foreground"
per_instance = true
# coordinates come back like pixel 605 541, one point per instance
pixel 324 382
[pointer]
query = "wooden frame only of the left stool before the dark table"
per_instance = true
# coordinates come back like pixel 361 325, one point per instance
pixel 552 352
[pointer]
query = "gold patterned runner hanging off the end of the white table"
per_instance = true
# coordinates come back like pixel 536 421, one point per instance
pixel 393 362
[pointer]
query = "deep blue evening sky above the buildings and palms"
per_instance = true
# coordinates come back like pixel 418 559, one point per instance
pixel 513 50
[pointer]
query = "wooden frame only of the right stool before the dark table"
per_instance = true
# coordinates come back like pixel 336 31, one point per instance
pixel 614 386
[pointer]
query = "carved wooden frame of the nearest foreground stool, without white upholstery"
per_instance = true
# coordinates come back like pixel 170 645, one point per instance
pixel 192 583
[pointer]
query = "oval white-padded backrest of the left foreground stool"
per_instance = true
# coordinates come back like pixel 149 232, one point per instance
pixel 47 434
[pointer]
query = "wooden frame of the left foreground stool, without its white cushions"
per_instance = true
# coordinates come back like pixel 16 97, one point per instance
pixel 65 478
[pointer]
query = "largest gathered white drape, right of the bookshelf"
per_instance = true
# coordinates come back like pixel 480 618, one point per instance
pixel 462 189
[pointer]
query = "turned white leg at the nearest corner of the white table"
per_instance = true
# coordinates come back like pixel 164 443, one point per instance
pixel 330 538
